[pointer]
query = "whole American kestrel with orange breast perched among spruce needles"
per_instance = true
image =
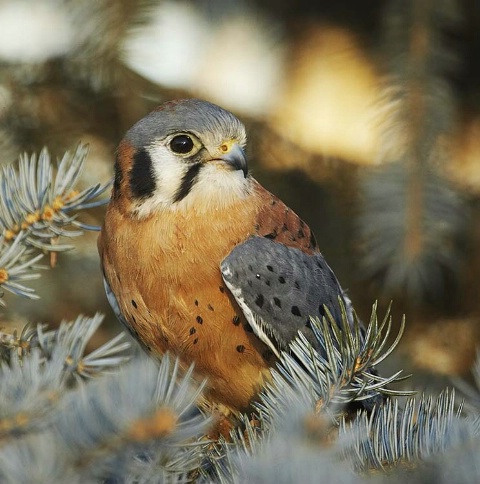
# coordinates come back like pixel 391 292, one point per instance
pixel 200 260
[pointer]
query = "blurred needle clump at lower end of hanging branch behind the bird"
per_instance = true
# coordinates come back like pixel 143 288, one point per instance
pixel 383 232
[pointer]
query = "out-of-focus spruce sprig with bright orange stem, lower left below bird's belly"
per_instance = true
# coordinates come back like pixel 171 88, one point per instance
pixel 140 420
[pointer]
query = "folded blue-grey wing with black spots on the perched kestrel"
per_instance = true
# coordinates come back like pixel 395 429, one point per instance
pixel 279 288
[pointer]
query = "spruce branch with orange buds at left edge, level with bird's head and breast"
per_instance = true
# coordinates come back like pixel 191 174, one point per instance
pixel 38 205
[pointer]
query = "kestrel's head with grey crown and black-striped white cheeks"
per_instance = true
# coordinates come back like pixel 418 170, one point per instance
pixel 186 153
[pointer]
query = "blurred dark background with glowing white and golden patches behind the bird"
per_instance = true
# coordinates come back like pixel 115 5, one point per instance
pixel 364 117
